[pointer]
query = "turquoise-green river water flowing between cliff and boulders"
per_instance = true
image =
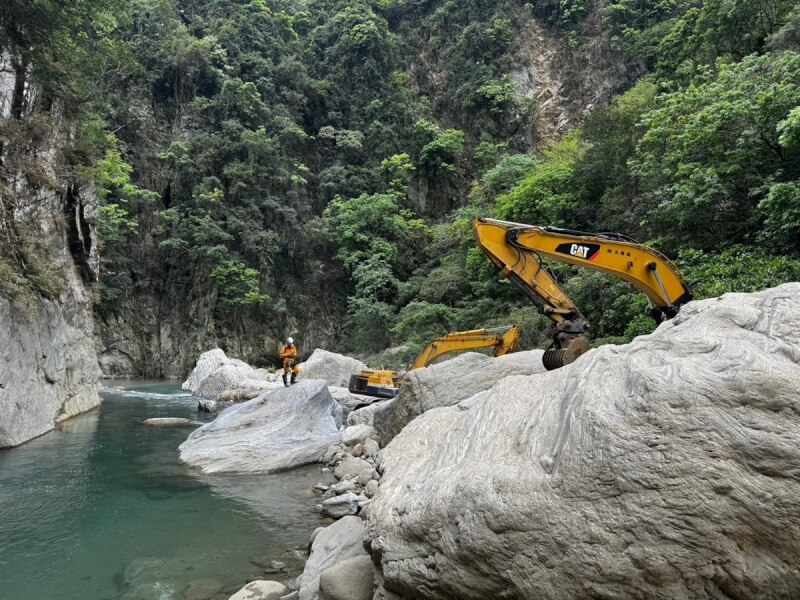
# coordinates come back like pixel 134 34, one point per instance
pixel 101 508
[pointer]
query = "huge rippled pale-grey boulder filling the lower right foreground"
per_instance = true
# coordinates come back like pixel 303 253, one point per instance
pixel 667 468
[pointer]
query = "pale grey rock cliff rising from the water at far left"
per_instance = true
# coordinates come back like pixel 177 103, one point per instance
pixel 48 367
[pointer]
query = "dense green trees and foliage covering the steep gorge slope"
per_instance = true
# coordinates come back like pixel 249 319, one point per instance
pixel 268 163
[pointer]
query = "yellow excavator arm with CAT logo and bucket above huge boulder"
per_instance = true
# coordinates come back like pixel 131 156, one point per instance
pixel 517 250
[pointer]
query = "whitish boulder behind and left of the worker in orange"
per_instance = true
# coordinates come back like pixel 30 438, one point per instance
pixel 215 373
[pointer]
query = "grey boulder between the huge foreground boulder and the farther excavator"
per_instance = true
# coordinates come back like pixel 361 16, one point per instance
pixel 448 383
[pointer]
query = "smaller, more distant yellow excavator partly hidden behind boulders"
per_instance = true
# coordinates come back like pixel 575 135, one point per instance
pixel 386 384
